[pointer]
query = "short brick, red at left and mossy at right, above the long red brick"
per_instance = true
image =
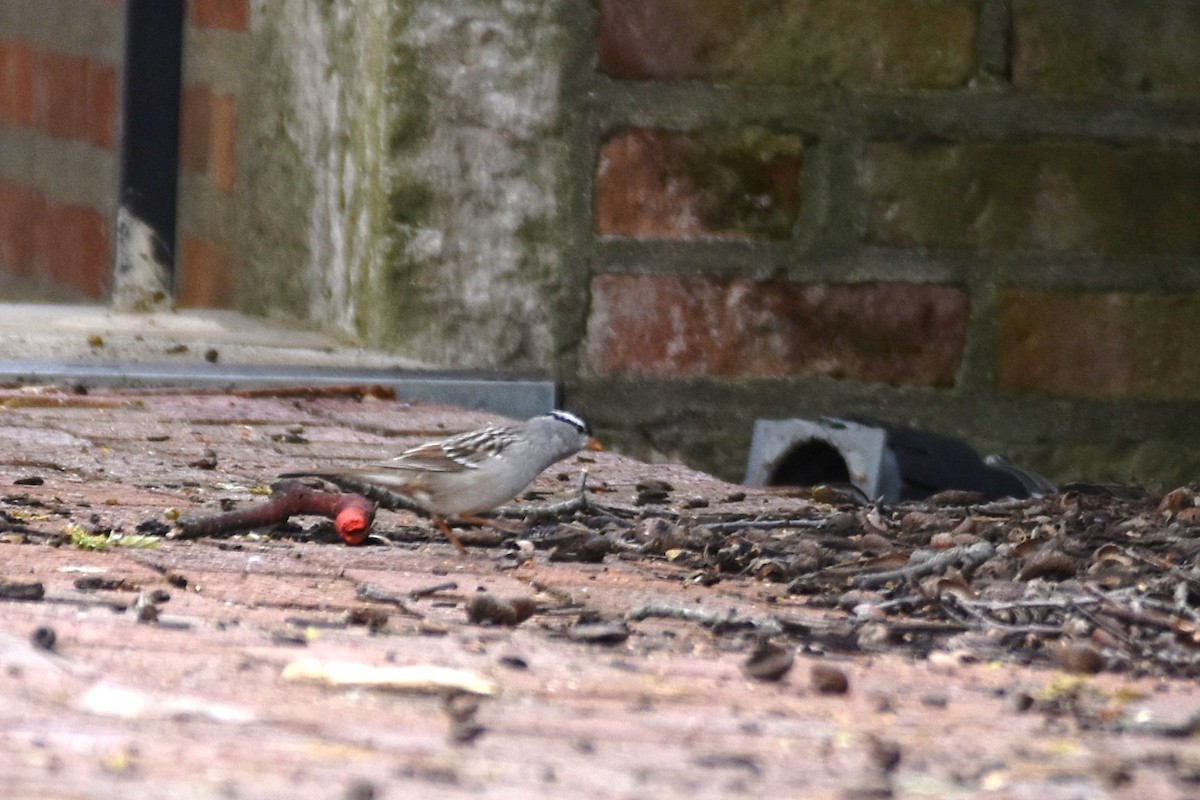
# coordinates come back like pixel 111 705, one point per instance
pixel 741 184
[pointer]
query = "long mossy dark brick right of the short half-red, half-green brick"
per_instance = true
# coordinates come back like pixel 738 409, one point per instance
pixel 1085 197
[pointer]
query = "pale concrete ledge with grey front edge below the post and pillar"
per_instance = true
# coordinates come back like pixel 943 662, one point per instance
pixel 224 350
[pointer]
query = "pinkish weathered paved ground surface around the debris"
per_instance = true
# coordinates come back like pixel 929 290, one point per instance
pixel 196 706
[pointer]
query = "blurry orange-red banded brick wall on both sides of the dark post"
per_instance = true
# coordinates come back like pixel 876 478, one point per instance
pixel 61 63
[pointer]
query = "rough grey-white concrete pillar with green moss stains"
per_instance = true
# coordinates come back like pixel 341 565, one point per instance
pixel 398 169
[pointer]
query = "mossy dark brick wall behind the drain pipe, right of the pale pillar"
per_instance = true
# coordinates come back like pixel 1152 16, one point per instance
pixel 976 216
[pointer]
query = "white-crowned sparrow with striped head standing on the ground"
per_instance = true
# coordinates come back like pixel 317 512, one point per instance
pixel 472 472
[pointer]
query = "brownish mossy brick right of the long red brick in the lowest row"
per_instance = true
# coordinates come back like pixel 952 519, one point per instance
pixel 1100 346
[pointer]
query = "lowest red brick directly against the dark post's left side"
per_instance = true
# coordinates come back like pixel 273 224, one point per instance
pixel 75 249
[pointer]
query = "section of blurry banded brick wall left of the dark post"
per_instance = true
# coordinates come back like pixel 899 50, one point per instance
pixel 58 131
